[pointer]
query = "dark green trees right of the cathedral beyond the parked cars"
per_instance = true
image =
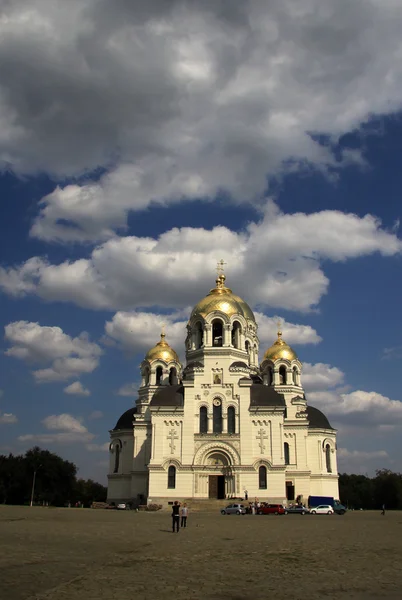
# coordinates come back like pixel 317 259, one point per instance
pixel 361 491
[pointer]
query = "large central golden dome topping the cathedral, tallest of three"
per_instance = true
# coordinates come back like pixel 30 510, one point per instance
pixel 223 299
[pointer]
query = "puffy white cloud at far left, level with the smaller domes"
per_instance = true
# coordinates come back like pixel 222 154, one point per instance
pixel 68 357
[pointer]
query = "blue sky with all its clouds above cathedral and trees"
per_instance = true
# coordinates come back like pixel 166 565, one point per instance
pixel 154 141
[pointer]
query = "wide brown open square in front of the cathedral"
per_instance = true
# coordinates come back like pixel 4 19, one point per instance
pixel 83 554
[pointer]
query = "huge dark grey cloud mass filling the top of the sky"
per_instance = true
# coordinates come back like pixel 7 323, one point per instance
pixel 217 98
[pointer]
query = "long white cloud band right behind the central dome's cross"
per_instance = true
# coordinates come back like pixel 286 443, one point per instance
pixel 276 262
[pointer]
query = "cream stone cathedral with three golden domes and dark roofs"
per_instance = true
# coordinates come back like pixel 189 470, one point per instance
pixel 224 423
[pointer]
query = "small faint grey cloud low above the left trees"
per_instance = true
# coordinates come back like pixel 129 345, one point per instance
pixel 65 429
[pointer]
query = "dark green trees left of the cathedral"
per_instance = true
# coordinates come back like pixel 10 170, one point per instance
pixel 55 484
